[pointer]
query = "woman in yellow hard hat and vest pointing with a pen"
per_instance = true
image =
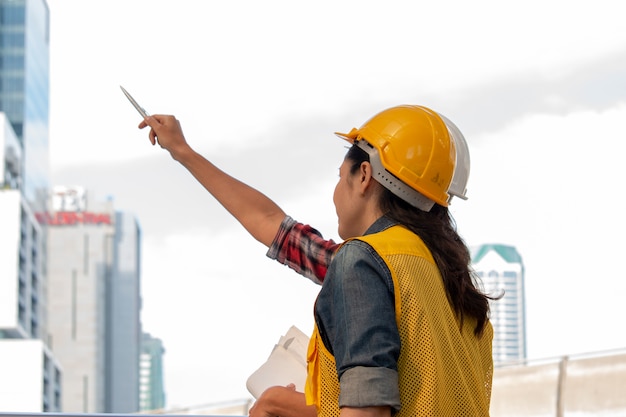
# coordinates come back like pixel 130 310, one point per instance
pixel 400 326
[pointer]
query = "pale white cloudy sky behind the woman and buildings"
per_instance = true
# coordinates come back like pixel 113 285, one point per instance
pixel 537 87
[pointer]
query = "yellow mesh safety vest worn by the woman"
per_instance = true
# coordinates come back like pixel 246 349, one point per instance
pixel 443 369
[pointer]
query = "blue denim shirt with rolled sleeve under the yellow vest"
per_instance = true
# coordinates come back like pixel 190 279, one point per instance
pixel 355 314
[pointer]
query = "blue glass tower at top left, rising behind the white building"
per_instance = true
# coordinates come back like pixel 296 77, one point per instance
pixel 24 88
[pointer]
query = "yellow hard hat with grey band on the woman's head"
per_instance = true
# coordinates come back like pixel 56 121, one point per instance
pixel 414 145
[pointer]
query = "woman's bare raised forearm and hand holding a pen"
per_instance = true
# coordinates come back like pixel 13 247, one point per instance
pixel 259 215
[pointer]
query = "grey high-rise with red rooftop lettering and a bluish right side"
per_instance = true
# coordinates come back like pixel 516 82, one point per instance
pixel 94 309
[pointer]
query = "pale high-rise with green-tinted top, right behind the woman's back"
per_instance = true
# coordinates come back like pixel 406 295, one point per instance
pixel 501 272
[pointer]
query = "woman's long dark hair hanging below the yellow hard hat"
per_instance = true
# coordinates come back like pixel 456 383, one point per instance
pixel 438 231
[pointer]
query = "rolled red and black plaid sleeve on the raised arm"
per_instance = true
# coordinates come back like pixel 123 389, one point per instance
pixel 303 249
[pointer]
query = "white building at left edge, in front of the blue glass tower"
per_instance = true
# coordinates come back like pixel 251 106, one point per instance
pixel 30 376
